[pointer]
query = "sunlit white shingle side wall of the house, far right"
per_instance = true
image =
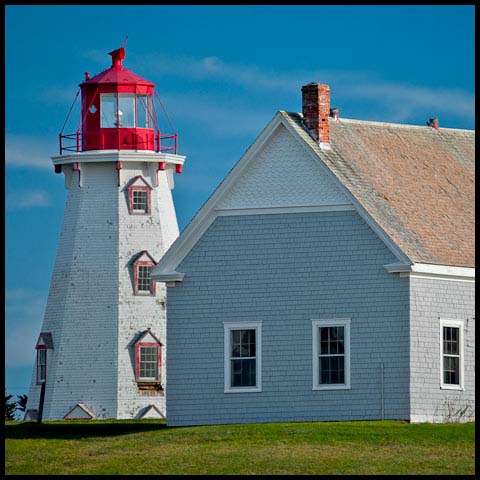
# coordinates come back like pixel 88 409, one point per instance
pixel 432 300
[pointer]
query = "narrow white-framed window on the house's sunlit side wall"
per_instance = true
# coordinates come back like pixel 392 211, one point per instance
pixel 451 354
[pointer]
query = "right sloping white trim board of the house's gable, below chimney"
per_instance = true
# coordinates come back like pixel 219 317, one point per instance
pixel 392 246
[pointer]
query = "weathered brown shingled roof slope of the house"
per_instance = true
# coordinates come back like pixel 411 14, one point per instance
pixel 416 182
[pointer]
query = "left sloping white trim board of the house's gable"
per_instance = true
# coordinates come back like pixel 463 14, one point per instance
pixel 207 214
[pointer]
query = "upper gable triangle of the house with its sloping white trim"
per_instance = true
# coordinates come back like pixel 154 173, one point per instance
pixel 233 195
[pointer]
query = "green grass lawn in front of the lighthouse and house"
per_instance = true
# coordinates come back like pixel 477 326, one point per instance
pixel 149 447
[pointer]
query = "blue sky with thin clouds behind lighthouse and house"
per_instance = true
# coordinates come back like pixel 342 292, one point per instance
pixel 222 72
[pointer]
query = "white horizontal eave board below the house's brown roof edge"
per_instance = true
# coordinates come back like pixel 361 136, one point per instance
pixel 426 270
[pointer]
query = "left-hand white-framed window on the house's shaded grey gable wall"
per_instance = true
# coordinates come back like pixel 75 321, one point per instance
pixel 243 357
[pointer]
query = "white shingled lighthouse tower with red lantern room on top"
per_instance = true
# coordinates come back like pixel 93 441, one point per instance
pixel 101 350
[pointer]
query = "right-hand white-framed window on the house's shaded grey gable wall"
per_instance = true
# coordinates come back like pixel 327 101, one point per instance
pixel 331 354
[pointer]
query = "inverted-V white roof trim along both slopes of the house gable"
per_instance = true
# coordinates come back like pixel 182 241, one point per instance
pixel 206 215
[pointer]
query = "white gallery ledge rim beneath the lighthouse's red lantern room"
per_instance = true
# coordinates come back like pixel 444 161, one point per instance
pixel 94 156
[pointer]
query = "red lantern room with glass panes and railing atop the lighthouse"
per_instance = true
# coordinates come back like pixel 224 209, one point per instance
pixel 118 113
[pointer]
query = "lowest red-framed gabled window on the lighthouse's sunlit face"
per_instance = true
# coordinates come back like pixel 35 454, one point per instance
pixel 148 359
